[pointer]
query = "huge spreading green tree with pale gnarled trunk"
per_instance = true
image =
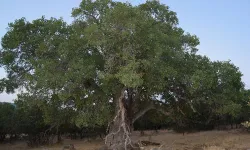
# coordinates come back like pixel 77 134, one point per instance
pixel 114 58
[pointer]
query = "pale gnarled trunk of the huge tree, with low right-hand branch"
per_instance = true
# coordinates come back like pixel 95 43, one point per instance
pixel 122 125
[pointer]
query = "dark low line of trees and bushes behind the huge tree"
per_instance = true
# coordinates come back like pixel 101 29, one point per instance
pixel 41 123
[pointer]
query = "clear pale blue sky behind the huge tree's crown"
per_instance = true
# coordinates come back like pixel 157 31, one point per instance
pixel 223 26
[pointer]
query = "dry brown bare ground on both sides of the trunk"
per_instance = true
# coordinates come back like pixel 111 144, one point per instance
pixel 209 140
